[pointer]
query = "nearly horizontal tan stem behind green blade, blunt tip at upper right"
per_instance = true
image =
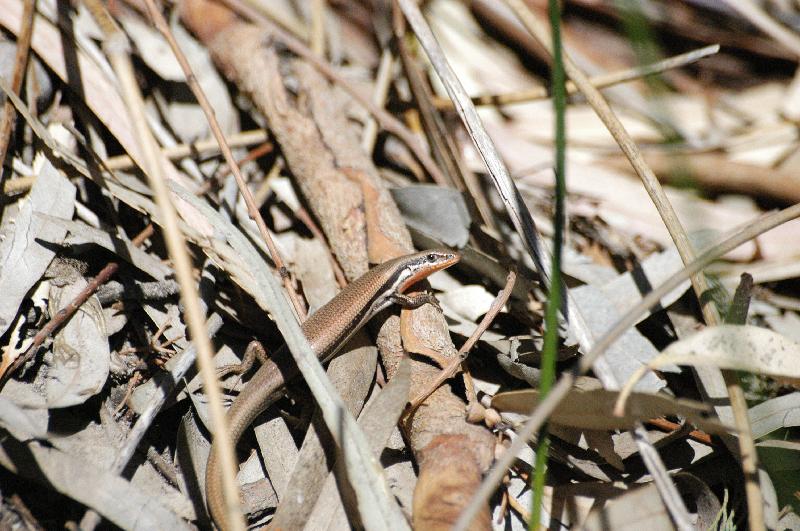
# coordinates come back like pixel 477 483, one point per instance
pixel 600 81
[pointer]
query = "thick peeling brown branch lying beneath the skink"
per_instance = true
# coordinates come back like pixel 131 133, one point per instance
pixel 317 143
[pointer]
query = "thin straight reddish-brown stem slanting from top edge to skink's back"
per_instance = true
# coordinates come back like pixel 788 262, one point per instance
pixel 252 208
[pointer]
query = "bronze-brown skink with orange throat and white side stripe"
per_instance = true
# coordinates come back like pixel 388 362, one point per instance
pixel 327 330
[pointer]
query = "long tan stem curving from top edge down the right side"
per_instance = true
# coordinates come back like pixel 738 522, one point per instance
pixel 681 239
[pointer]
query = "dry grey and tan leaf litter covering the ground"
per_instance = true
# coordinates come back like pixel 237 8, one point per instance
pixel 117 377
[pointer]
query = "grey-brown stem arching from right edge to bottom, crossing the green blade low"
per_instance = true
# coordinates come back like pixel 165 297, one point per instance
pixel 562 388
